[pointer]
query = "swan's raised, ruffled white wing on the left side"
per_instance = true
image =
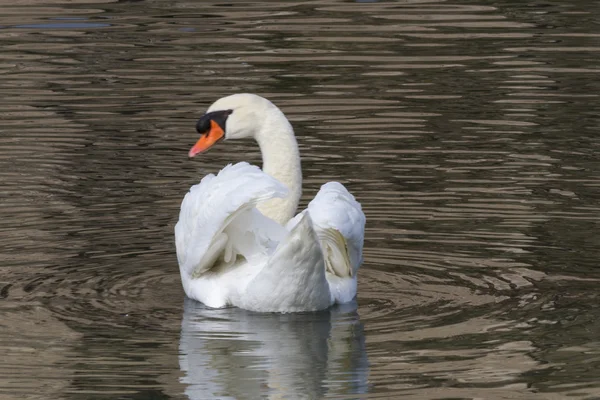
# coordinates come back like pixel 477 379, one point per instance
pixel 211 216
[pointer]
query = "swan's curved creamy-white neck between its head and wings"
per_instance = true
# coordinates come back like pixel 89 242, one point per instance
pixel 281 160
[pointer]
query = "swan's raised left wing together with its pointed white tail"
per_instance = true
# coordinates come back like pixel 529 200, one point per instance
pixel 276 270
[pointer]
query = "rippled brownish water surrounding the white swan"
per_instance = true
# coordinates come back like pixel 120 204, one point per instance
pixel 468 131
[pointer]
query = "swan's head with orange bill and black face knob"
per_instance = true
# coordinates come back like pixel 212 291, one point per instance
pixel 237 116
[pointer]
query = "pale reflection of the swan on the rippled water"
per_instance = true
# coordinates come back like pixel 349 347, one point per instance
pixel 233 353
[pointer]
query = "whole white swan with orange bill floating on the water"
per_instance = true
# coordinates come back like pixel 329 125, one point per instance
pixel 238 242
